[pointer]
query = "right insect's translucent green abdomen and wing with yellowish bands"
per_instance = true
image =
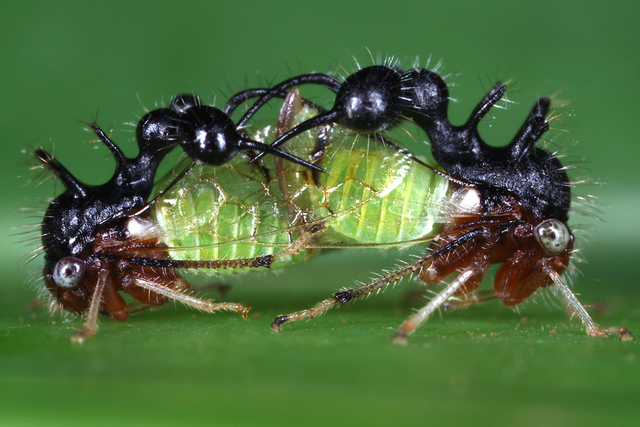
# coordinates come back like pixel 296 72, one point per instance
pixel 376 194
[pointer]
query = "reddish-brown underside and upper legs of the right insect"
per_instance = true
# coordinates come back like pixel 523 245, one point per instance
pixel 507 238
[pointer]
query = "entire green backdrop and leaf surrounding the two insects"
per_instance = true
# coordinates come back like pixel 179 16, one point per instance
pixel 486 365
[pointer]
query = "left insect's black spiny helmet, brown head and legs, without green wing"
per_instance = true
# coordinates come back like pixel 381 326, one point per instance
pixel 99 240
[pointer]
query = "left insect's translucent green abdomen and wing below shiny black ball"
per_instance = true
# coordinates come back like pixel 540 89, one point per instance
pixel 232 211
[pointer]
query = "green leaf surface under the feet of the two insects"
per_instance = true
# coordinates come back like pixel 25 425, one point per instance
pixel 486 363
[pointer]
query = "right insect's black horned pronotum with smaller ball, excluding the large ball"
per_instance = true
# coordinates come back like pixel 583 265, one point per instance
pixel 535 176
